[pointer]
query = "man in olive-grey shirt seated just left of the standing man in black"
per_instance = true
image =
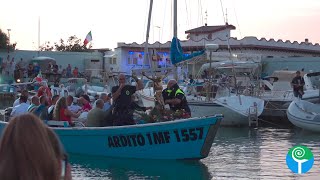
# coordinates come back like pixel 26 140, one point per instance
pixel 97 115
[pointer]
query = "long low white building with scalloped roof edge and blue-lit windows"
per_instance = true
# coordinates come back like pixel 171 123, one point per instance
pixel 131 55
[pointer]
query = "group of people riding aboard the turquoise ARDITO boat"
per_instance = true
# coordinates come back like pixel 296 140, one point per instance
pixel 113 109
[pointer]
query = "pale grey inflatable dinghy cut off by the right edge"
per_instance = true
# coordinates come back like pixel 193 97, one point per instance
pixel 305 115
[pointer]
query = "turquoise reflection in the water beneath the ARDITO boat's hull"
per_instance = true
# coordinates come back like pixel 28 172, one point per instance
pixel 112 168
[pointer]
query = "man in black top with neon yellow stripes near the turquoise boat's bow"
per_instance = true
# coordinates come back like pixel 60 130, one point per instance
pixel 176 98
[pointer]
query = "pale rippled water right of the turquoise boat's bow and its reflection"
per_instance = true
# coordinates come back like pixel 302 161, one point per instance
pixel 241 153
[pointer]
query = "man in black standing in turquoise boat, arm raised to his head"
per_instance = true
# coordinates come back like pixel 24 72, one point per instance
pixel 121 96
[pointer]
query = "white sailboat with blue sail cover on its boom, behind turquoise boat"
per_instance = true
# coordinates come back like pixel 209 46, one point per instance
pixel 235 108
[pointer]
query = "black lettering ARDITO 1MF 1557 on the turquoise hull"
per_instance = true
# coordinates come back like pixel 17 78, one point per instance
pixel 154 138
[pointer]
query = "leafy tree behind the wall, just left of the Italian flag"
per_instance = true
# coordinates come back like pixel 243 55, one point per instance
pixel 73 44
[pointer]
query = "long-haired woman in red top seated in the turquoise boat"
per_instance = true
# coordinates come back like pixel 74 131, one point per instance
pixel 62 113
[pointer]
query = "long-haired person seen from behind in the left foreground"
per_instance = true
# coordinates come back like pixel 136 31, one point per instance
pixel 26 151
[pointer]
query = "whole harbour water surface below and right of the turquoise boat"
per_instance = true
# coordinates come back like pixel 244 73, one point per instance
pixel 237 153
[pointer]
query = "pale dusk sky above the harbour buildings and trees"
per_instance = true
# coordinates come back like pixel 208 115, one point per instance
pixel 112 21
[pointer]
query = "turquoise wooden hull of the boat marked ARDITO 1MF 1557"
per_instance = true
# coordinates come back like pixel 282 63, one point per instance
pixel 180 139
